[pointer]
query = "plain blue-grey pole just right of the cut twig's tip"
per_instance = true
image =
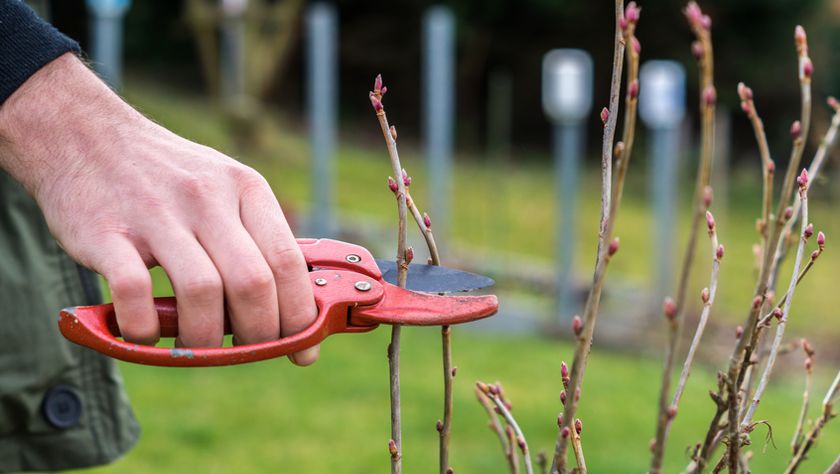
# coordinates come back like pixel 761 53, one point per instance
pixel 439 111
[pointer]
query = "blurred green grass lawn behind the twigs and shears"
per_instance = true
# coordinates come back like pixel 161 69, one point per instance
pixel 333 417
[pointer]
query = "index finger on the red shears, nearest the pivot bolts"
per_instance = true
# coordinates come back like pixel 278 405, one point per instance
pixel 264 220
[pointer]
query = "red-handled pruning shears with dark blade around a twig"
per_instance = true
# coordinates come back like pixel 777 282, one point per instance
pixel 353 292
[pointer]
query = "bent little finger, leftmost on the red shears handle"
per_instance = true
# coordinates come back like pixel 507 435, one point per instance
pixel 131 290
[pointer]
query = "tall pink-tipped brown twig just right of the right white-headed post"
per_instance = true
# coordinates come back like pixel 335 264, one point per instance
pixel 702 47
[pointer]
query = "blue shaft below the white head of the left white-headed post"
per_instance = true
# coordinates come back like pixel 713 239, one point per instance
pixel 568 145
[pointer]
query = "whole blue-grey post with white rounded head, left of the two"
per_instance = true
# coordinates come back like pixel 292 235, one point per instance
pixel 567 101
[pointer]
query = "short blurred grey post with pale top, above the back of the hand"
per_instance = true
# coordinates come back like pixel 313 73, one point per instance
pixel 232 50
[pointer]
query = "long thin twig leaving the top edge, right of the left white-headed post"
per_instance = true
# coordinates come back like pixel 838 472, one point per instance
pixel 606 246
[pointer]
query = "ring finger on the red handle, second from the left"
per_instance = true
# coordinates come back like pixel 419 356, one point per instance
pixel 198 289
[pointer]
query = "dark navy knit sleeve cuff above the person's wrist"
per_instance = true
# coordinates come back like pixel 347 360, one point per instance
pixel 27 43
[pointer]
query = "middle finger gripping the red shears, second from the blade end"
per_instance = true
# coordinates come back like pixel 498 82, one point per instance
pixel 249 287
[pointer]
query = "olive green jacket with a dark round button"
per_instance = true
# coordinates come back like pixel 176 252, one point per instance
pixel 62 406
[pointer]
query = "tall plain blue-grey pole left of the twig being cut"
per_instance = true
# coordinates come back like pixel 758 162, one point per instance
pixel 321 97
